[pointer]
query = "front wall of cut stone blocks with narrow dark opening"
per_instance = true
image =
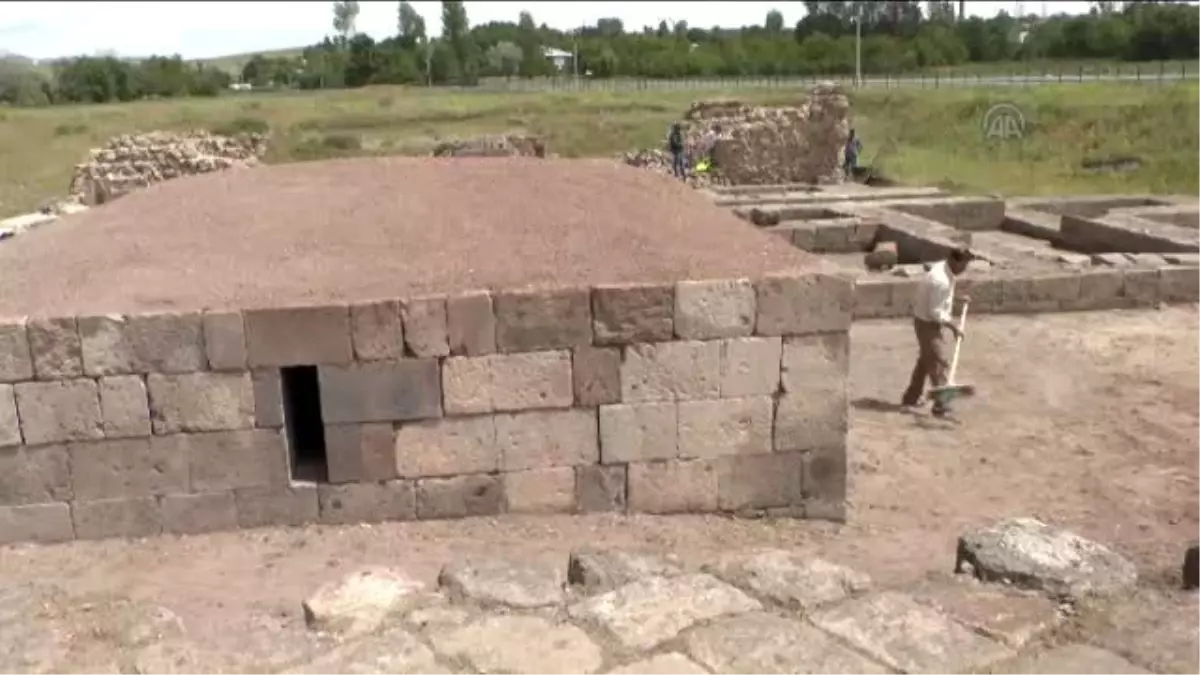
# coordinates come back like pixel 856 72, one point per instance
pixel 723 396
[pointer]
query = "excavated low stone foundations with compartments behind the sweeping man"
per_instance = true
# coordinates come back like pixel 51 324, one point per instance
pixel 1036 255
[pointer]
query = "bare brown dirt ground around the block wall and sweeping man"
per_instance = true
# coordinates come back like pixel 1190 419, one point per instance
pixel 1088 421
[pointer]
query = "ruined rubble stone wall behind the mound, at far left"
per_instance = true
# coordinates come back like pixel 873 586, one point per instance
pixel 134 162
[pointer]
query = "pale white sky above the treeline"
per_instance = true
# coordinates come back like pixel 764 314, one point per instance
pixel 205 31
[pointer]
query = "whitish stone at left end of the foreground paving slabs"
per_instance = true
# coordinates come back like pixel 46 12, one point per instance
pixel 361 602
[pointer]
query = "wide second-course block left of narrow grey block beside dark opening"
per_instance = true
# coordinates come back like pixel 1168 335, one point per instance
pixel 201 402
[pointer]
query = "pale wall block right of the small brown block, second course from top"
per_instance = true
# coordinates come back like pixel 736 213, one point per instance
pixel 671 372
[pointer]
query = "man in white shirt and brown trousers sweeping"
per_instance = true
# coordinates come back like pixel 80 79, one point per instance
pixel 933 318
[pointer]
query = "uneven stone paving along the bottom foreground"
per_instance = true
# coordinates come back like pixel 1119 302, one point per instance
pixel 625 613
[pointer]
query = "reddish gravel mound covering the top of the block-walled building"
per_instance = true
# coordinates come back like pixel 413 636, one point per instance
pixel 379 229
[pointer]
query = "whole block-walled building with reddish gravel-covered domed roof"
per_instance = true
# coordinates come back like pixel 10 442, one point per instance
pixel 715 384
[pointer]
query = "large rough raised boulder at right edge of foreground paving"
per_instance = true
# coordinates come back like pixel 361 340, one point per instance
pixel 1031 554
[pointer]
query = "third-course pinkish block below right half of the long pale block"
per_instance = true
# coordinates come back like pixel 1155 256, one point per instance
pixel 548 439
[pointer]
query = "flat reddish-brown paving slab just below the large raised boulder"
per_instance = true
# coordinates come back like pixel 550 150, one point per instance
pixel 1011 617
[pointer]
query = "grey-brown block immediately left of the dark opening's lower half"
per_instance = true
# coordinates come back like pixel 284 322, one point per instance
pixel 230 461
